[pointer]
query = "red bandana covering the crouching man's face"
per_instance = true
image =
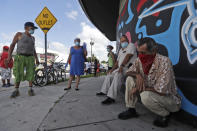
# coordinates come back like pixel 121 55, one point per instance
pixel 147 61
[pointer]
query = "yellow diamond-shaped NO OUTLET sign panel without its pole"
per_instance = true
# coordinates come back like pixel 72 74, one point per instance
pixel 45 20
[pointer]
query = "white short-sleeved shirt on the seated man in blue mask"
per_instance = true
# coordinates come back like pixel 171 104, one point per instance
pixel 131 49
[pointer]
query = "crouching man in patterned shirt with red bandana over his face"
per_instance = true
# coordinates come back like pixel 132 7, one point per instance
pixel 153 78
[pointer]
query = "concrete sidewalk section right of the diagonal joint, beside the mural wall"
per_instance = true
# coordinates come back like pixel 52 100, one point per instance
pixel 82 111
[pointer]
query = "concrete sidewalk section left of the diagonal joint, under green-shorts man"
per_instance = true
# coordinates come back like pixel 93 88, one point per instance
pixel 26 113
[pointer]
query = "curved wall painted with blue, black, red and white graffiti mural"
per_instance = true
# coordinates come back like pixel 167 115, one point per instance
pixel 173 24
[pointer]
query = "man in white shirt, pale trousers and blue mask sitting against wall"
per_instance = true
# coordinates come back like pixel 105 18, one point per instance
pixel 115 77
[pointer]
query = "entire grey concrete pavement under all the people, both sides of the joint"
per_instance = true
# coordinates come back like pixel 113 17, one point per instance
pixel 53 109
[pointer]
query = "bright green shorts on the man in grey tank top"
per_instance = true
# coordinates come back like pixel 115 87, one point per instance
pixel 24 68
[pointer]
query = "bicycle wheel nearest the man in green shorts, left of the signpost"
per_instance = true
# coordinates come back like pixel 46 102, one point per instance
pixel 40 77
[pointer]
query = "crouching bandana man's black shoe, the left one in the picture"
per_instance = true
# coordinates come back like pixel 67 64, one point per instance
pixel 130 113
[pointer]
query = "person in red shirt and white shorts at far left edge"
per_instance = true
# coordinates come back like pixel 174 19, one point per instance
pixel 5 69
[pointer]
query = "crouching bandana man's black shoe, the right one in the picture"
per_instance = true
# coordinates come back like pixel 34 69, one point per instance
pixel 161 121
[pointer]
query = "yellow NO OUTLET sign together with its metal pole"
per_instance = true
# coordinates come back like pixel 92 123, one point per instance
pixel 45 21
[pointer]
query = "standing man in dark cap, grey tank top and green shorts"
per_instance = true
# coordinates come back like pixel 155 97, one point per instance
pixel 24 61
